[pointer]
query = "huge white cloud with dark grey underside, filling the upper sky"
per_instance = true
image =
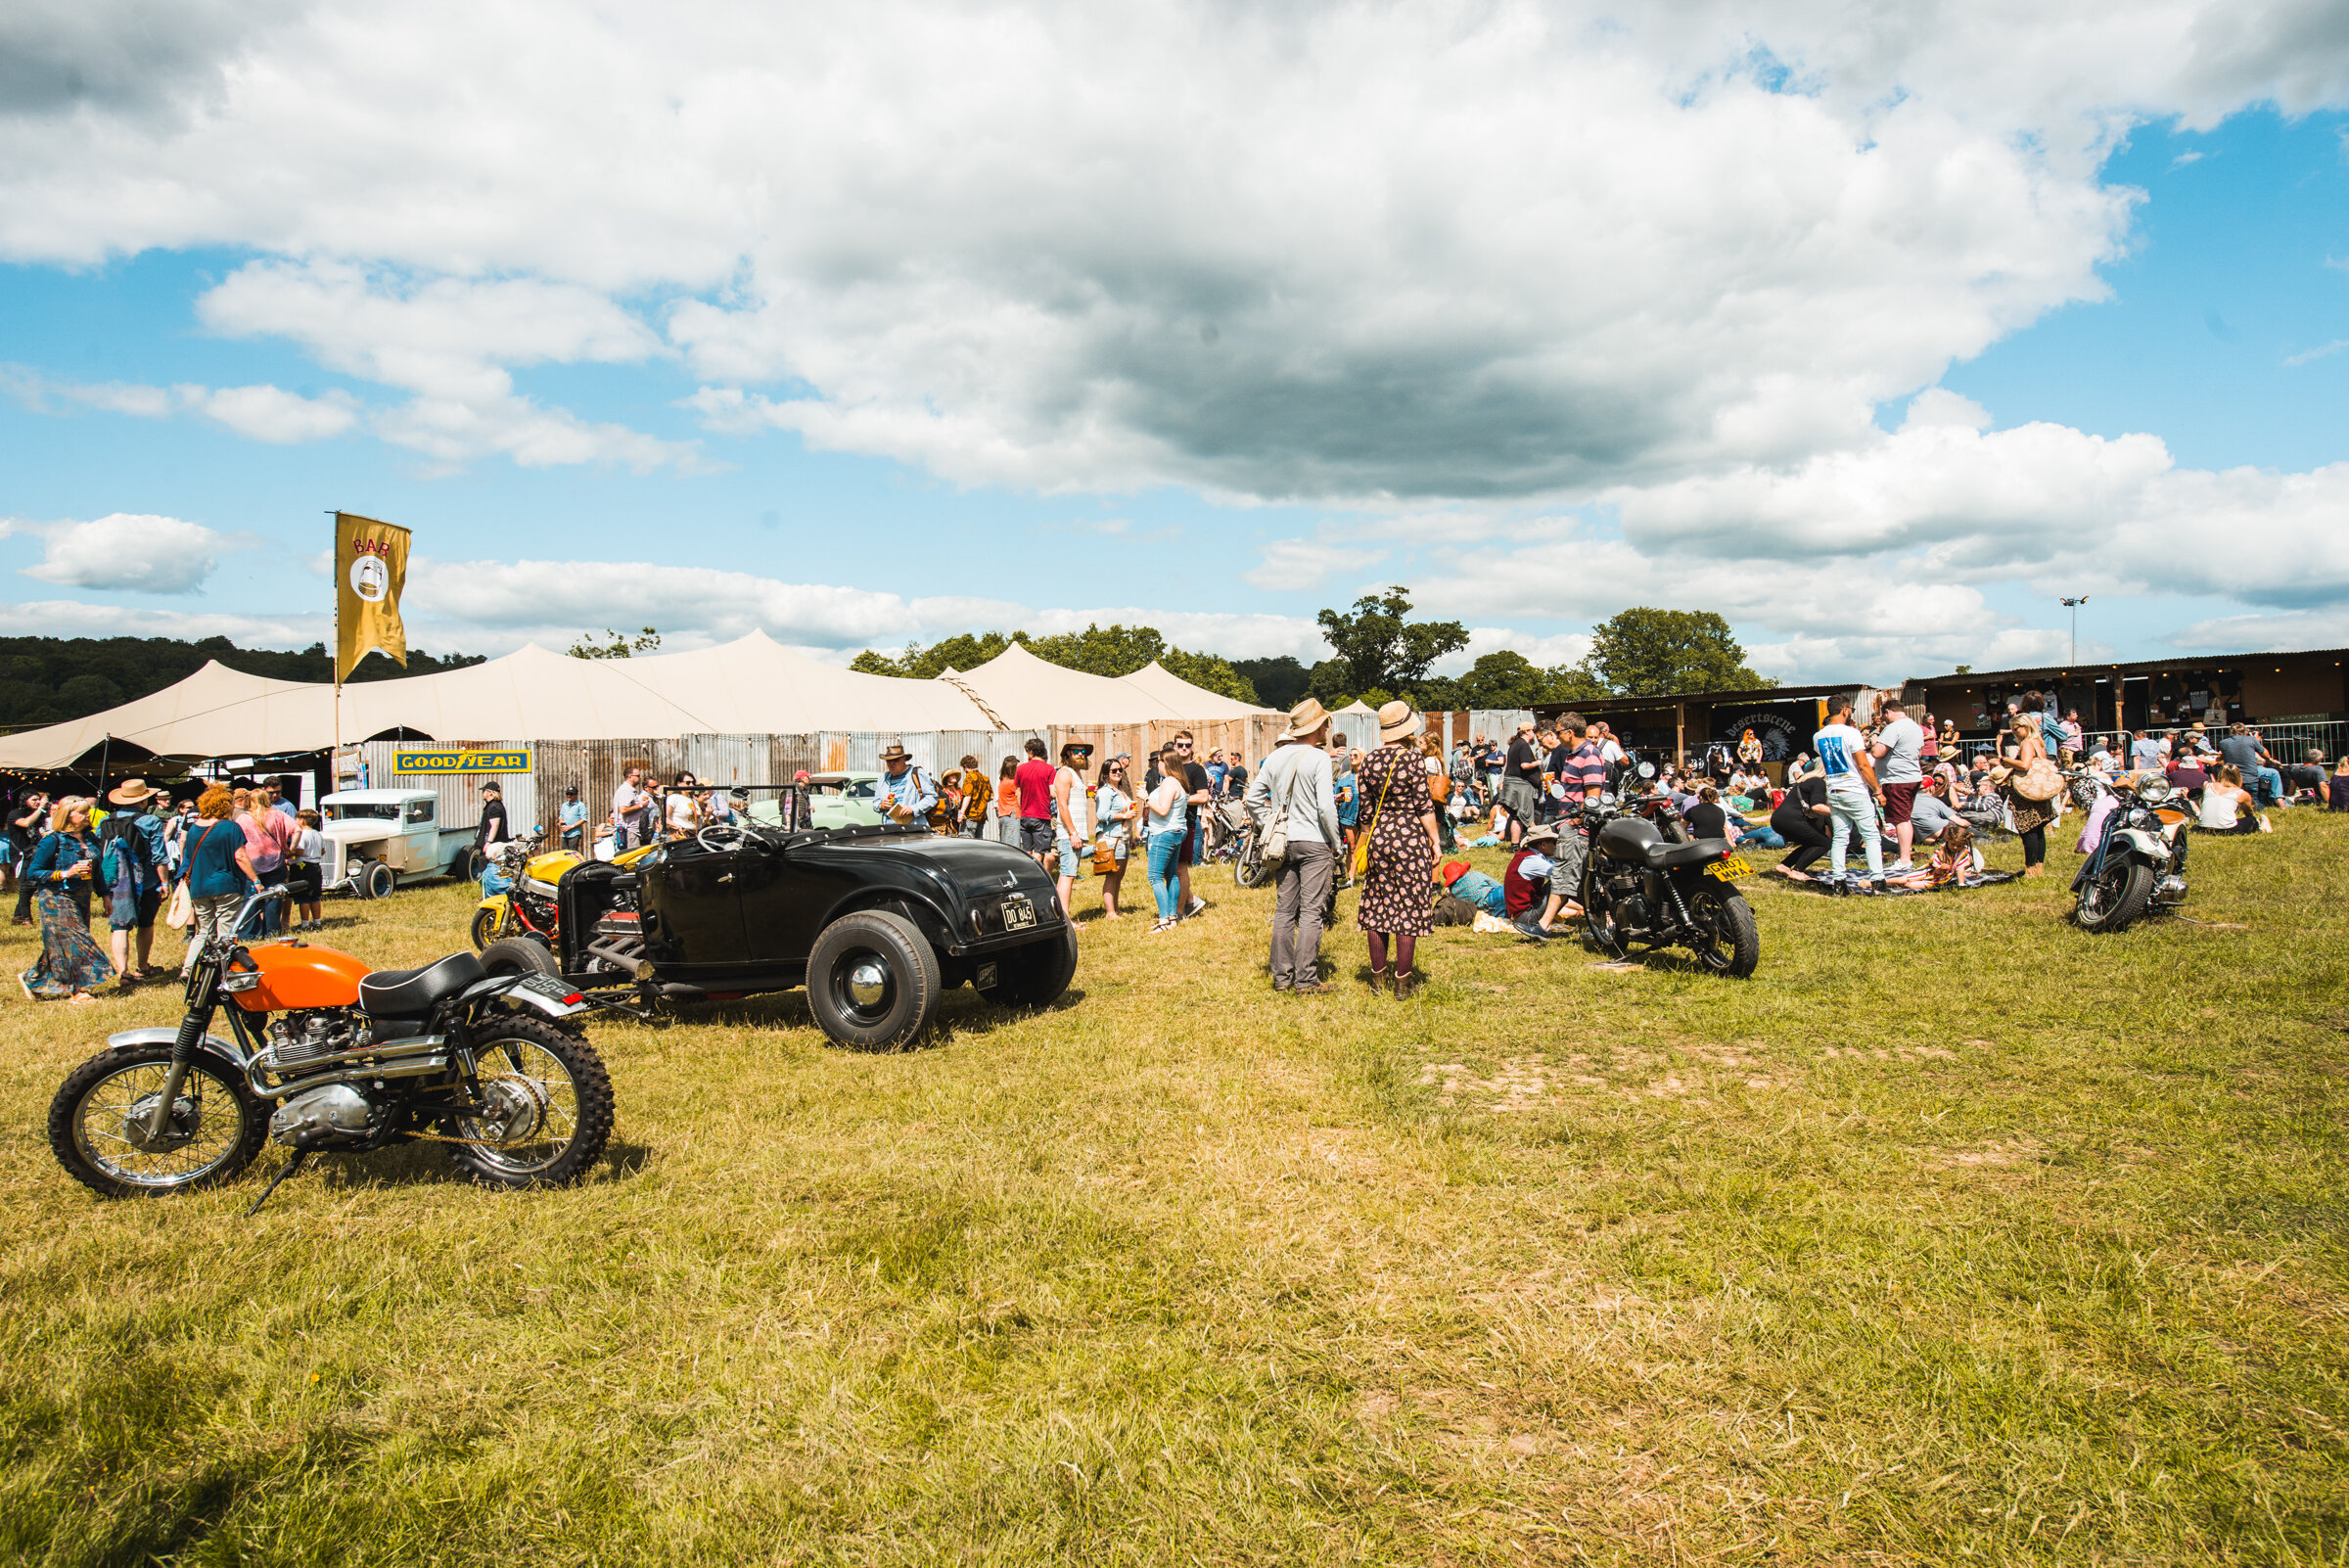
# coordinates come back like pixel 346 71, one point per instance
pixel 1441 248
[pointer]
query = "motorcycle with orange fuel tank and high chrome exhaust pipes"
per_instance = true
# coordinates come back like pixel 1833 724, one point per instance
pixel 325 1055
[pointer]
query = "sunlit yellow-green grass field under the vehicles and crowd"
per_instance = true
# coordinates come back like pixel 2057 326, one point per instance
pixel 1953 1236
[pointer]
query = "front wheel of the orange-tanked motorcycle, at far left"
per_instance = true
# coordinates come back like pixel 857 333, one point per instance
pixel 100 1123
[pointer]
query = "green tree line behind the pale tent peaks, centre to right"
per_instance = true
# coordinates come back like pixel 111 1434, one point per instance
pixel 1380 654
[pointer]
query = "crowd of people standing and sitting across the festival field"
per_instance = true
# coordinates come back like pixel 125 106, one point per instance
pixel 1902 797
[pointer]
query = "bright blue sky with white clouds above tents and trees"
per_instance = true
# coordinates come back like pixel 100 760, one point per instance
pixel 1169 374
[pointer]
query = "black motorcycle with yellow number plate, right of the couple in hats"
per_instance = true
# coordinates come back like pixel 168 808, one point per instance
pixel 1641 888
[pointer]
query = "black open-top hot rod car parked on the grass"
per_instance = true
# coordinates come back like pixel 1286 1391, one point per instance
pixel 875 921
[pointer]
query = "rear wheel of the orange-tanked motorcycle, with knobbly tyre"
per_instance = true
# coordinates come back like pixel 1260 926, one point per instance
pixel 546 1107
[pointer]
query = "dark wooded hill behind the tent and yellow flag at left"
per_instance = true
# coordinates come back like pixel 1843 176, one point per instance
pixel 48 680
